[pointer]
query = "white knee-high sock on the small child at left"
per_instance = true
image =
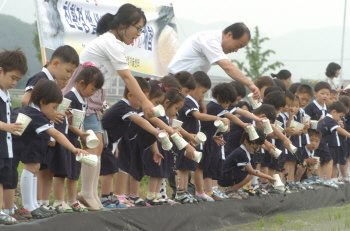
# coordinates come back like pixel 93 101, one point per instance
pixel 27 190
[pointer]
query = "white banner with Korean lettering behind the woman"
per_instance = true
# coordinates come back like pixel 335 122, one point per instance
pixel 73 22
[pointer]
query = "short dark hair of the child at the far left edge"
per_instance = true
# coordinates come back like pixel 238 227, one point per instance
pixel 13 61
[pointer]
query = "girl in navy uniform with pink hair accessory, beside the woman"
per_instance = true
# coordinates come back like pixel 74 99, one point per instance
pixel 63 166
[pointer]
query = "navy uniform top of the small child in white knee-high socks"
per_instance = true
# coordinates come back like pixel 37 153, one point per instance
pixel 34 139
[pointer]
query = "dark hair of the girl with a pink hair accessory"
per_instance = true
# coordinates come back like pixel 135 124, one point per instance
pixel 91 74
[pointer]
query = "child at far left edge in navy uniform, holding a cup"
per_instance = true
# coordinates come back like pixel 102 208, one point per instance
pixel 13 65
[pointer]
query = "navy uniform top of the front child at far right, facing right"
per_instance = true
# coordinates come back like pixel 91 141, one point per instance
pixel 328 127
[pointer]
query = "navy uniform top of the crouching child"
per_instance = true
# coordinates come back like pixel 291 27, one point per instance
pixel 237 161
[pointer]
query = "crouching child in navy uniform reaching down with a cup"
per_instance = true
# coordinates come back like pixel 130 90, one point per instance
pixel 237 169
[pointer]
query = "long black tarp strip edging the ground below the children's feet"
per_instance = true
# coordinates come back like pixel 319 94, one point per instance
pixel 202 216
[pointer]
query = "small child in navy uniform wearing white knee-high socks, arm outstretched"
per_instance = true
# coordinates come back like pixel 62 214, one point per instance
pixel 31 146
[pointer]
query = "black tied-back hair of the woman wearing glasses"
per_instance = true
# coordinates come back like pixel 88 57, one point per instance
pixel 126 15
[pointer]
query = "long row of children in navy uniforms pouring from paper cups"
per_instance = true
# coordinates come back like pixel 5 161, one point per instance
pixel 132 148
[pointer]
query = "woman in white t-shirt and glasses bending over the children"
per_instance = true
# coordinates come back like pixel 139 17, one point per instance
pixel 107 52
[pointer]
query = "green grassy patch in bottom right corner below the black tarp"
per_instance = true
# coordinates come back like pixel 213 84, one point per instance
pixel 324 219
